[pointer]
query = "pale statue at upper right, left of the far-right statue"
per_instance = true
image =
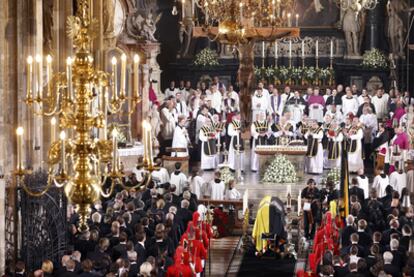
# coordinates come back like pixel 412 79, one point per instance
pixel 351 26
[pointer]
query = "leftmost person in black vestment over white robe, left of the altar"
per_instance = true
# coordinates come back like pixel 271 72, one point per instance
pixel 208 138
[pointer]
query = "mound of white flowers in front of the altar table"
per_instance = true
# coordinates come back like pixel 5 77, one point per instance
pixel 280 170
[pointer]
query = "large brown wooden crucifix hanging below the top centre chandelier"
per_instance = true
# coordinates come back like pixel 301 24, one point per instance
pixel 245 45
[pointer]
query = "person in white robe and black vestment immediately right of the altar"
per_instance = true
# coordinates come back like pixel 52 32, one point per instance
pixel 314 153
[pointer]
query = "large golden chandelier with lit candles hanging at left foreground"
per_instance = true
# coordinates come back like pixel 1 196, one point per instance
pixel 78 101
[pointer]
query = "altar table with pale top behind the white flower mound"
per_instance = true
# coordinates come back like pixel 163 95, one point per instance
pixel 293 153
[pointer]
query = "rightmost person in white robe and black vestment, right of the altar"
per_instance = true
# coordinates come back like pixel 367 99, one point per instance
pixel 354 135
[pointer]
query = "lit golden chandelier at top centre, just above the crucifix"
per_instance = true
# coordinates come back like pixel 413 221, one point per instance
pixel 235 18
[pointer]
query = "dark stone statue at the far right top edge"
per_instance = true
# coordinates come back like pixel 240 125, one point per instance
pixel 395 27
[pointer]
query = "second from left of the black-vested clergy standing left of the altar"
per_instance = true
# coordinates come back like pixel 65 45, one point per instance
pixel 236 143
